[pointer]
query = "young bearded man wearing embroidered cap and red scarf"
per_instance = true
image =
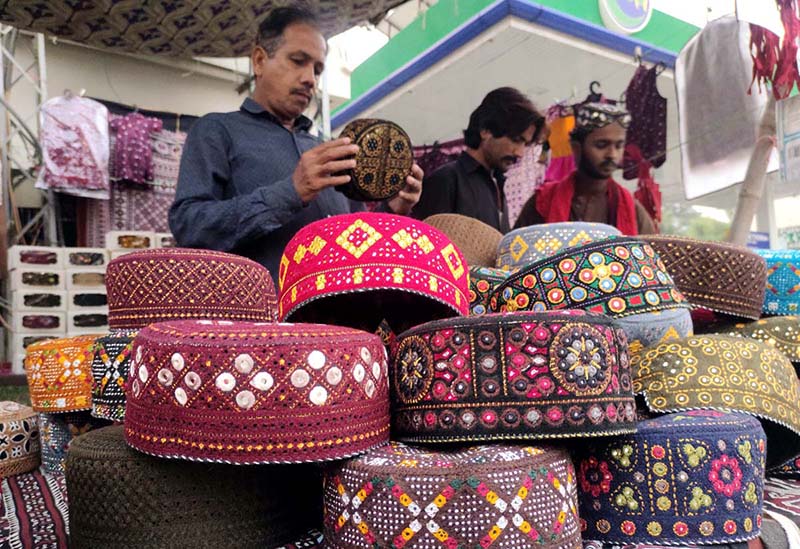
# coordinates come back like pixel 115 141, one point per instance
pixel 590 193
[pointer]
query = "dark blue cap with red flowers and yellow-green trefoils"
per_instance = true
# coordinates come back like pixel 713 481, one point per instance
pixel 685 478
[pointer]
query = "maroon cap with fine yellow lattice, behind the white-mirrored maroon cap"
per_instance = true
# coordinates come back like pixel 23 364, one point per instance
pixel 181 283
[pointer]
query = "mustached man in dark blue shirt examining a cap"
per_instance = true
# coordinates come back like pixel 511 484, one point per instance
pixel 249 180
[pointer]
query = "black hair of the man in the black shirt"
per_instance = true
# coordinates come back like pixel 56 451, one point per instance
pixel 504 112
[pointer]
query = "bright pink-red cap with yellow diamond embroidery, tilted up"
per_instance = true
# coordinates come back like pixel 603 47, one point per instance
pixel 357 269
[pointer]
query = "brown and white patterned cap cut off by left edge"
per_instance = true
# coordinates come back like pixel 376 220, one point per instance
pixel 19 439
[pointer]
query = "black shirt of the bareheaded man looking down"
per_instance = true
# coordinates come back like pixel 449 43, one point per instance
pixel 464 187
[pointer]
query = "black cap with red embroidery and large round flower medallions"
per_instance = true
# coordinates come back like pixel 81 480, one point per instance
pixel 562 373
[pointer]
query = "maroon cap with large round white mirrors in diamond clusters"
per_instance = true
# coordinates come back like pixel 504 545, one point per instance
pixel 238 392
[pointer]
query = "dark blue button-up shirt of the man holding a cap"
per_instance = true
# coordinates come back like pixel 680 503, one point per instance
pixel 235 190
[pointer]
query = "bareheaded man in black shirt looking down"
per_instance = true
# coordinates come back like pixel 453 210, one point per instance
pixel 499 130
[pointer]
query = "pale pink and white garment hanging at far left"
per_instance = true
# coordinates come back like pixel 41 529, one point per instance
pixel 75 147
